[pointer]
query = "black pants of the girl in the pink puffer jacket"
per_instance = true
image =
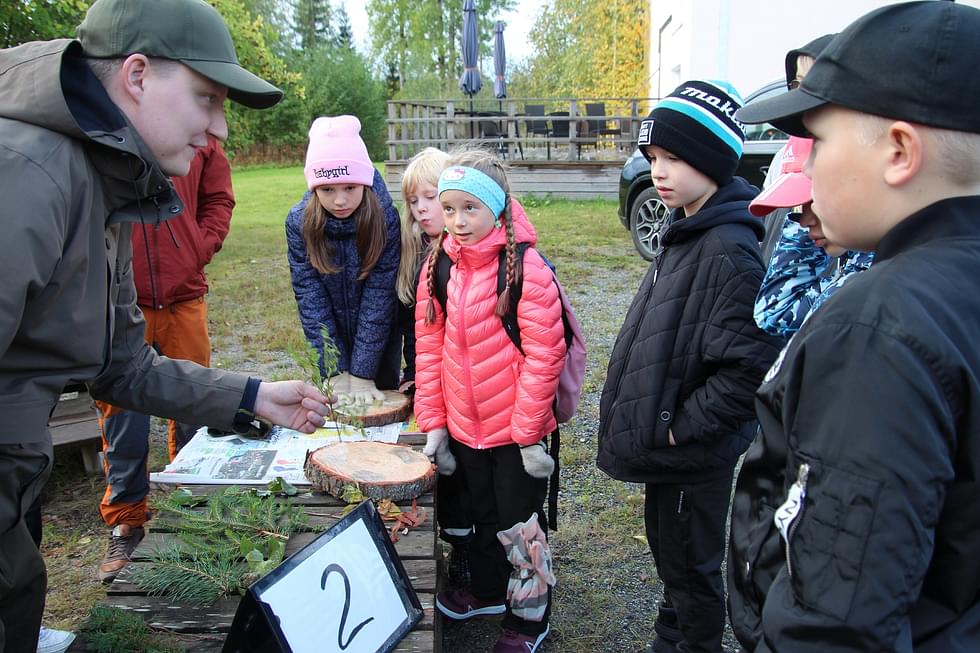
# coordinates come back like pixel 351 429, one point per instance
pixel 502 494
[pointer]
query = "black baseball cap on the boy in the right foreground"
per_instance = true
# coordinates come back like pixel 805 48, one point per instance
pixel 914 61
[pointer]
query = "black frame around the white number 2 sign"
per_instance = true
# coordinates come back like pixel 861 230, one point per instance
pixel 257 629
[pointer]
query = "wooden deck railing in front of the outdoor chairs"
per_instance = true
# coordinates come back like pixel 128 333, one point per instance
pixel 595 129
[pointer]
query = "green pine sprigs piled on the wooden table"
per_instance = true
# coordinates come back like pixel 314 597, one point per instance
pixel 222 549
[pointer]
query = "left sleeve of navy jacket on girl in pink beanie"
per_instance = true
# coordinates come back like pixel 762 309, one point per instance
pixel 312 300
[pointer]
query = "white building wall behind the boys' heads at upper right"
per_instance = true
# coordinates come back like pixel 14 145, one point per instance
pixel 741 41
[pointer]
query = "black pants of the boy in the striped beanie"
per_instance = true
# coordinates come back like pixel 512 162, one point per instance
pixel 685 526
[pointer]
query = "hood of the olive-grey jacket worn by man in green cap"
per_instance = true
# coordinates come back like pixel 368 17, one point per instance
pixel 48 84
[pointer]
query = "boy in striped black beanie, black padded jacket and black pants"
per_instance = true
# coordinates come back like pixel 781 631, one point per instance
pixel 676 409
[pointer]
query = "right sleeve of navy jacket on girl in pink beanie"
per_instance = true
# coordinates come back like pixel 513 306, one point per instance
pixel 379 301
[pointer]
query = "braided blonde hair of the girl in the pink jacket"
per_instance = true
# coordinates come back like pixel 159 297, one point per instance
pixel 486 162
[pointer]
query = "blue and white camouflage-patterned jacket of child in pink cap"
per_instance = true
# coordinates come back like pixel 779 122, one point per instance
pixel 799 280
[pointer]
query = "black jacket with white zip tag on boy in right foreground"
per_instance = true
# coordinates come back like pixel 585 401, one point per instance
pixel 873 412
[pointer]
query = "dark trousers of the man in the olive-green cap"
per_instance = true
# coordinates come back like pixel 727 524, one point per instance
pixel 23 579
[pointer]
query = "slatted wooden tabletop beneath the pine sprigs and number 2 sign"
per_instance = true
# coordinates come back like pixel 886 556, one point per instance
pixel 203 630
